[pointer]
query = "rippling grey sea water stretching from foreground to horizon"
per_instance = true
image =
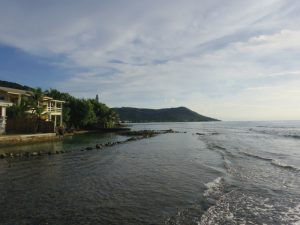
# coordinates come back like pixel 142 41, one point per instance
pixel 232 173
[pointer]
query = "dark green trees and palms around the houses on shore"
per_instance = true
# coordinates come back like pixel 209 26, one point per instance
pixel 77 113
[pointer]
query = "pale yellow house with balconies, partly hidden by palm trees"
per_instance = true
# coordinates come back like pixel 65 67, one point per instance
pixel 53 109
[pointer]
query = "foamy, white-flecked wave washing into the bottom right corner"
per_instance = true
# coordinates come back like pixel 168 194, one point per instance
pixel 235 207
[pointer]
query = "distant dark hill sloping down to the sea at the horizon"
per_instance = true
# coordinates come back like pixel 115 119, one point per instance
pixel 180 114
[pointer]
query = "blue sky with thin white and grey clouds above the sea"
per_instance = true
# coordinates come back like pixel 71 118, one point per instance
pixel 231 60
